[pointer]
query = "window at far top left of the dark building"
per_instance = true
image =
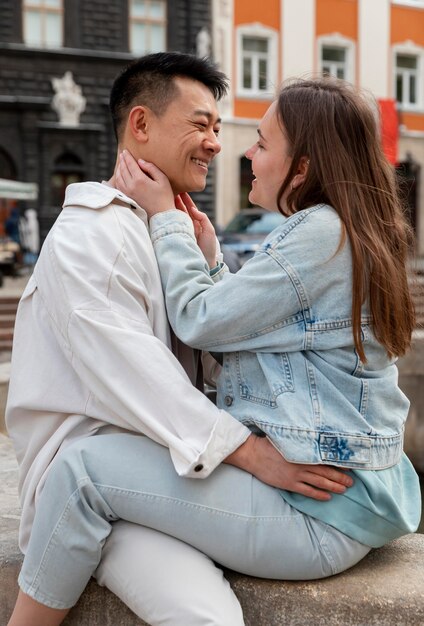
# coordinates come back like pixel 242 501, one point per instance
pixel 43 23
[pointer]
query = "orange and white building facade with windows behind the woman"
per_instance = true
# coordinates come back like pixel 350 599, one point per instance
pixel 375 44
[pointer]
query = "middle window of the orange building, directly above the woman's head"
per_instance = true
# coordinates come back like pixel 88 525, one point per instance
pixel 336 57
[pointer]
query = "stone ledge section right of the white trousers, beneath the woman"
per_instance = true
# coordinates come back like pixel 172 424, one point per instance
pixel 386 588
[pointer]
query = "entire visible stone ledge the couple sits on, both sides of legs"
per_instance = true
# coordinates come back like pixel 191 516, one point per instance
pixel 385 588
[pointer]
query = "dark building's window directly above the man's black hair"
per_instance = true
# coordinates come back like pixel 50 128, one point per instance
pixel 147 26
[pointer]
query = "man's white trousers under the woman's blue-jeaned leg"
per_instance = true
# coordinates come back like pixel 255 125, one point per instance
pixel 165 581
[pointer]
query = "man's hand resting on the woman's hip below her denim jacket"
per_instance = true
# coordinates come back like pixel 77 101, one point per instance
pixel 258 456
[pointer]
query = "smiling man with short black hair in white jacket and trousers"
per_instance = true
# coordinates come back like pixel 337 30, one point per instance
pixel 92 351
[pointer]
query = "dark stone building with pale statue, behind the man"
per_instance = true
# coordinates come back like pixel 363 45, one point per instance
pixel 95 43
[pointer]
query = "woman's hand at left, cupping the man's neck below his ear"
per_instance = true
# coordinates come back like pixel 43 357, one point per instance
pixel 144 183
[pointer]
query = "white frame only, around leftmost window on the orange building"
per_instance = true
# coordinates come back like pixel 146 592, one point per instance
pixel 258 31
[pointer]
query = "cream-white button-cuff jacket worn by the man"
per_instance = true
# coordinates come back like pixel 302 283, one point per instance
pixel 91 349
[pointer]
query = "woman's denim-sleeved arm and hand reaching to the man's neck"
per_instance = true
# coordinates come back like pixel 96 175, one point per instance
pixel 240 312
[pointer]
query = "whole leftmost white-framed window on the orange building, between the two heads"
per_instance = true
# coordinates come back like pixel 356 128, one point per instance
pixel 256 53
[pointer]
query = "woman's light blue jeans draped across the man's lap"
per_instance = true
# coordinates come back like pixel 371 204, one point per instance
pixel 231 516
